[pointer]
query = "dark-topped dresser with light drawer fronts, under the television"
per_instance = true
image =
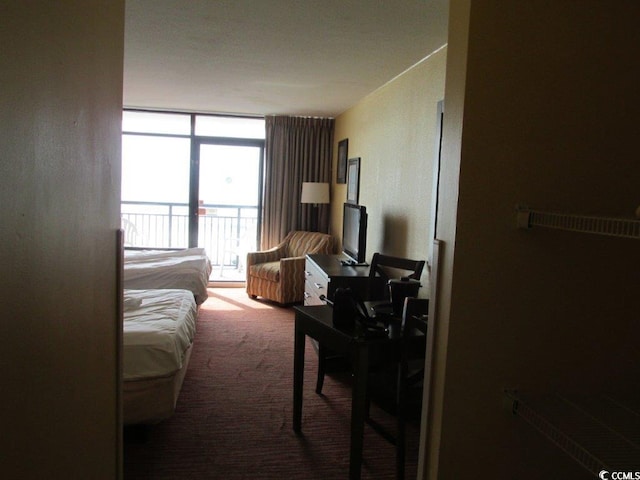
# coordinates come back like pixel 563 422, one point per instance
pixel 325 273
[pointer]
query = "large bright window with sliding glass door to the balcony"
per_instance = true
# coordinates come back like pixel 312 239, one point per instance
pixel 192 180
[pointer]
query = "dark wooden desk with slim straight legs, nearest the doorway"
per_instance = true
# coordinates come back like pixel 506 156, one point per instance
pixel 316 322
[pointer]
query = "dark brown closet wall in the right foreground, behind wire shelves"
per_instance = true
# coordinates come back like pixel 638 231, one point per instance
pixel 541 109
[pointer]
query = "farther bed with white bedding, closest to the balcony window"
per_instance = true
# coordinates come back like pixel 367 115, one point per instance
pixel 187 269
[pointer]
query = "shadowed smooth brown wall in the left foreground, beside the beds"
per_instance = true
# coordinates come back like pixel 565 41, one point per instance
pixel 61 67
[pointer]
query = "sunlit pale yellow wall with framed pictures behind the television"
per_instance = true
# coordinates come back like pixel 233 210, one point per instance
pixel 393 131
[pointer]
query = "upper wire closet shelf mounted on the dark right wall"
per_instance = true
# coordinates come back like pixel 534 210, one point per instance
pixel 615 227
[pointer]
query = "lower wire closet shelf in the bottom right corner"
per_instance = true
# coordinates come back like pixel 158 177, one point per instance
pixel 599 432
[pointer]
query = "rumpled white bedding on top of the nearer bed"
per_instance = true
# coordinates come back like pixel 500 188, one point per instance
pixel 159 327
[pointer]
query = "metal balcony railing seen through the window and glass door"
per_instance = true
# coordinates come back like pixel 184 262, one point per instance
pixel 226 232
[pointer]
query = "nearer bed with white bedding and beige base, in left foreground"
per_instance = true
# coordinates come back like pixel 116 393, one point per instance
pixel 159 327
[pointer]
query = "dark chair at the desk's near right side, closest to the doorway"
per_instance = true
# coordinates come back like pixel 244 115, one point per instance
pixel 406 392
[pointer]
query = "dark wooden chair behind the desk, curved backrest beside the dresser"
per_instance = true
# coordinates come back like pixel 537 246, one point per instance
pixel 385 267
